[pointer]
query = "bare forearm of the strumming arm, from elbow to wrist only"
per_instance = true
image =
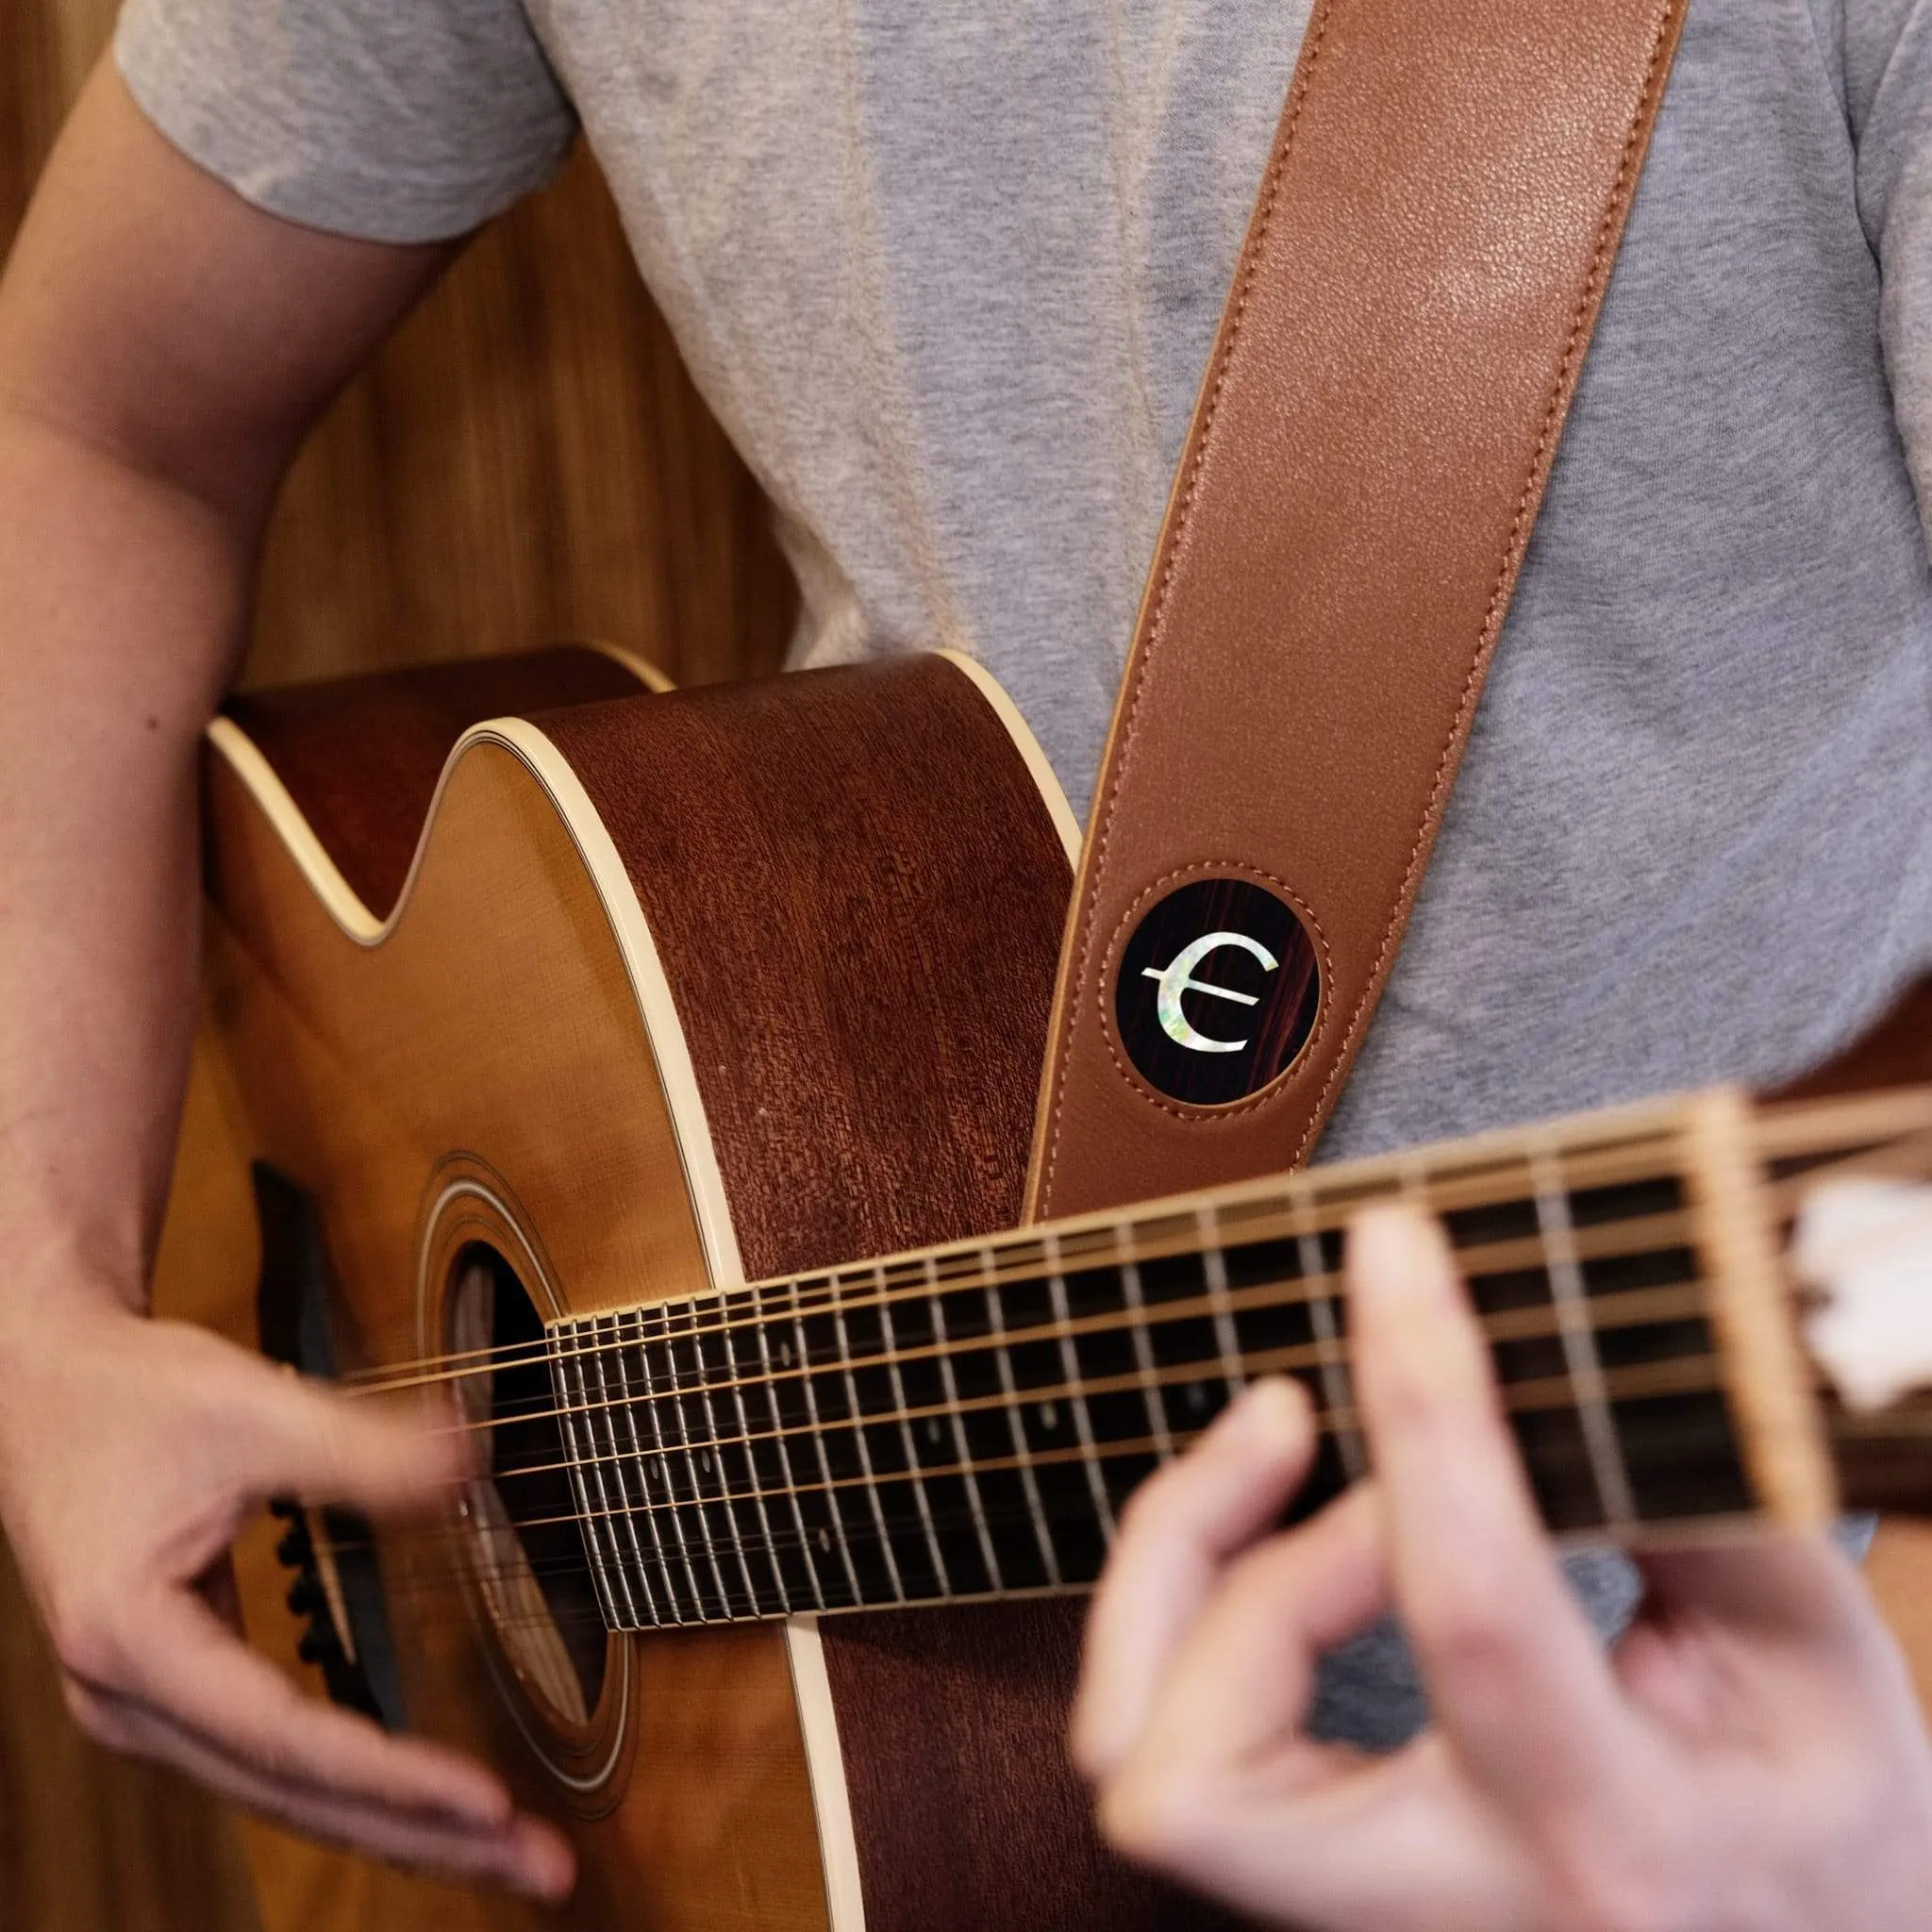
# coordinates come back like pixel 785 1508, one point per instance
pixel 123 602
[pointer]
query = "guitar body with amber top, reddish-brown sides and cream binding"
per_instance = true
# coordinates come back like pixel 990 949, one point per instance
pixel 677 992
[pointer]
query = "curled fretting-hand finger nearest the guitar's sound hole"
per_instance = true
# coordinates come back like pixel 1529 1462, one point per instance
pixel 1176 1537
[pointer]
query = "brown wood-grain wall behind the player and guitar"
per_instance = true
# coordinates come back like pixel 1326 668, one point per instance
pixel 528 461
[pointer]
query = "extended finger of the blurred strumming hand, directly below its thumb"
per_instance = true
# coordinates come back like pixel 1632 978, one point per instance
pixel 244 1709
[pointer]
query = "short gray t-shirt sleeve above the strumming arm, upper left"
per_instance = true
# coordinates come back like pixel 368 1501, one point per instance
pixel 395 121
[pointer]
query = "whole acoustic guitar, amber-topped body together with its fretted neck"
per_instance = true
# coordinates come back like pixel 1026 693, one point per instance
pixel 650 1077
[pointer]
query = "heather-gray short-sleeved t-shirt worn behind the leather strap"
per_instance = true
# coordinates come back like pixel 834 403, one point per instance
pixel 950 273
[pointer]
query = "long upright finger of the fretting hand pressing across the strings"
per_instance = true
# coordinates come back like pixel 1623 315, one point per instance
pixel 1514 1670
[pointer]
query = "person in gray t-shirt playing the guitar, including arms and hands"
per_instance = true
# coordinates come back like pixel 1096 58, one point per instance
pixel 955 314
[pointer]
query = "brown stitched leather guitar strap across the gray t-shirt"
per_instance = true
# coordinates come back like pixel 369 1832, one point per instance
pixel 1409 316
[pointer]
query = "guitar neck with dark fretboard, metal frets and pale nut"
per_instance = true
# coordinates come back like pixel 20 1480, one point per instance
pixel 969 1421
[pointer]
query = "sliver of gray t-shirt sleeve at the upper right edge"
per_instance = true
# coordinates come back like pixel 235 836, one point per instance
pixel 1889 84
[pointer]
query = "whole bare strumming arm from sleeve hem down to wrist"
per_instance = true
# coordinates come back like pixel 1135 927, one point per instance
pixel 163 351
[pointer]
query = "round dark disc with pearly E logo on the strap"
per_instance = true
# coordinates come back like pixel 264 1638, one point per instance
pixel 1218 992
